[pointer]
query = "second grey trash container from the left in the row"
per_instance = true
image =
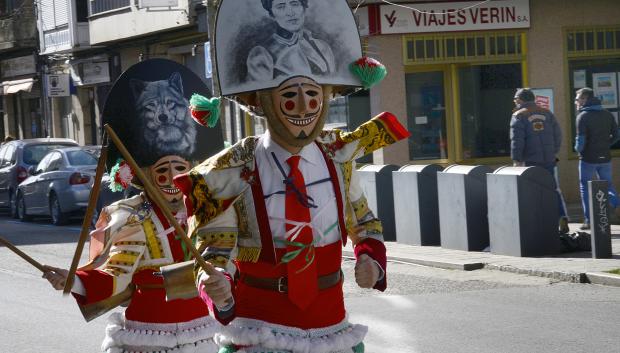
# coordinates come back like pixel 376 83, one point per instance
pixel 416 210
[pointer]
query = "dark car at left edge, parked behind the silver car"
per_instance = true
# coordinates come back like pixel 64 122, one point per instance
pixel 15 159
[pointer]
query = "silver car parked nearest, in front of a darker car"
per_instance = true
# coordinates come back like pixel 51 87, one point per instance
pixel 59 186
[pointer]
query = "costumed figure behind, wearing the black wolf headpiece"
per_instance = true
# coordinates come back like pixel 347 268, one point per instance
pixel 133 239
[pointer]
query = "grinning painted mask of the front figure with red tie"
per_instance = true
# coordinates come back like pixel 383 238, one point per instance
pixel 298 103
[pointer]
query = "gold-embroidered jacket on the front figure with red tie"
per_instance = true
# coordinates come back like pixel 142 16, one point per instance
pixel 224 200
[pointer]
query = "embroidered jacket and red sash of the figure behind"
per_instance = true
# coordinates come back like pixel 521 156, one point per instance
pixel 131 242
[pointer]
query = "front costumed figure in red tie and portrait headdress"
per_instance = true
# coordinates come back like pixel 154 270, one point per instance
pixel 273 212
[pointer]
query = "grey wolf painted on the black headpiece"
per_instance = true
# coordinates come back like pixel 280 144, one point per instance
pixel 163 115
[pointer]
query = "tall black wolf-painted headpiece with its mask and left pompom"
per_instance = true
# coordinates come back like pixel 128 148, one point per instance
pixel 148 108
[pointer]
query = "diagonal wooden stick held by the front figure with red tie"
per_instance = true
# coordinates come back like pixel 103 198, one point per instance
pixel 155 195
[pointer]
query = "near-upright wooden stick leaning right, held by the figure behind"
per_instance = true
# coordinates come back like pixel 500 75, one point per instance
pixel 92 204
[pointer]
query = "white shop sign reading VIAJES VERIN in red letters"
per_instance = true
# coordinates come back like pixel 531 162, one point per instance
pixel 454 16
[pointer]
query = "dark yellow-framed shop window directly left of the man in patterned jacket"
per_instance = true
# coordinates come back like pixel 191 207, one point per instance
pixel 486 104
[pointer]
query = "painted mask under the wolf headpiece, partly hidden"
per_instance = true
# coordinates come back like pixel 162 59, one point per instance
pixel 162 173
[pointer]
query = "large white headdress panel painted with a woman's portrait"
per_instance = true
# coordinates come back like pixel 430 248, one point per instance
pixel 260 44
